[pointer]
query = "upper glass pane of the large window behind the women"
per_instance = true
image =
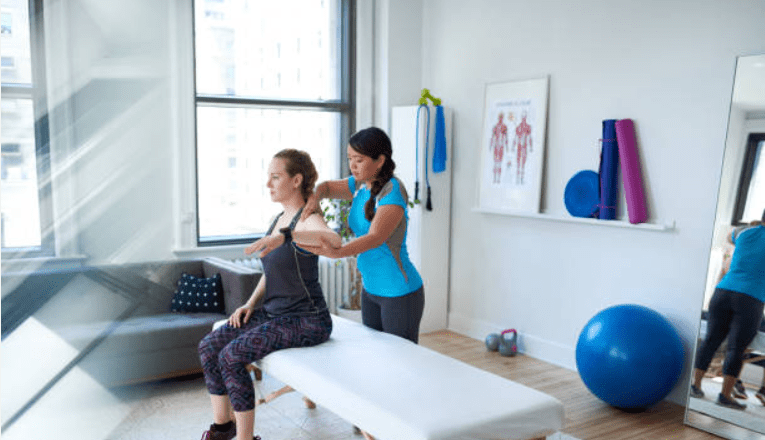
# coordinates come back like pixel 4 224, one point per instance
pixel 268 49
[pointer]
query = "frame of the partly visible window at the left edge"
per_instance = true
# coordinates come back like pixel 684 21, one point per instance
pixel 36 92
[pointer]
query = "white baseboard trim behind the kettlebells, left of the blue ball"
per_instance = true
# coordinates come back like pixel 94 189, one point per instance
pixel 528 344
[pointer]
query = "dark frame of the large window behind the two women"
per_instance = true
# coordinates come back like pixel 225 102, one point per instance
pixel 345 106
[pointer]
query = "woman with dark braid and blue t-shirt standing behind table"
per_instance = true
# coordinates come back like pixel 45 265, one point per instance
pixel 392 299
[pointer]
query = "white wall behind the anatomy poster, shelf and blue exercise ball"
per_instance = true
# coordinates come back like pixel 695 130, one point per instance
pixel 667 65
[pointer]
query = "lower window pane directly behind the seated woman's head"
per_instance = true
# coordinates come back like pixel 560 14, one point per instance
pixel 234 148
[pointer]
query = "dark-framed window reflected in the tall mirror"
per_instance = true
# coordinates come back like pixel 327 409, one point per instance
pixel 750 201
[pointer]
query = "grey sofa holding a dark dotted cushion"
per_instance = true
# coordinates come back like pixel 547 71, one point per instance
pixel 118 316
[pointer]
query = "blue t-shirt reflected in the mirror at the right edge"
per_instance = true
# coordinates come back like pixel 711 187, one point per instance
pixel 747 267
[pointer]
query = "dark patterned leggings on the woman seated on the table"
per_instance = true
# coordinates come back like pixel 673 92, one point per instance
pixel 226 352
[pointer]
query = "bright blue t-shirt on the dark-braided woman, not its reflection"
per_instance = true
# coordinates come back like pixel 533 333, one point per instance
pixel 385 270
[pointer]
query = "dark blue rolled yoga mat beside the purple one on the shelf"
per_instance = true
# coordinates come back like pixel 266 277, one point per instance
pixel 609 168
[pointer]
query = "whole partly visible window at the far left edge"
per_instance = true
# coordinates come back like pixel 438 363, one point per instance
pixel 25 214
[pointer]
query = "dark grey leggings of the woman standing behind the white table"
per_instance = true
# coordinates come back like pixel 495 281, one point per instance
pixel 399 315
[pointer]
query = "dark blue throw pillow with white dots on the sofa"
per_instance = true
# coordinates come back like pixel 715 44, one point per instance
pixel 194 294
